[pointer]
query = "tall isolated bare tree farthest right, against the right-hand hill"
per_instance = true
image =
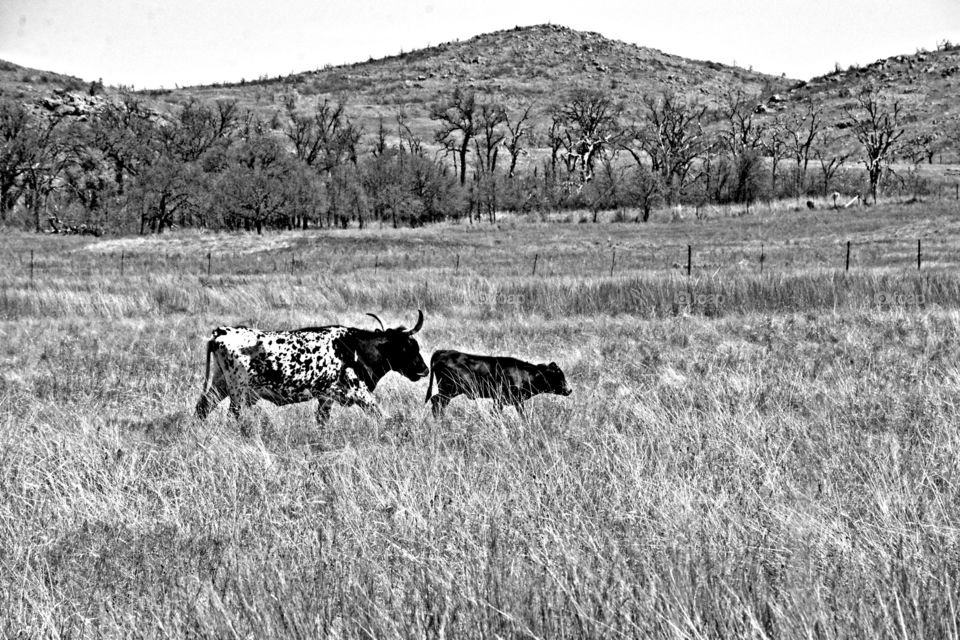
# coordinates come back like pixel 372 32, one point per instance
pixel 877 125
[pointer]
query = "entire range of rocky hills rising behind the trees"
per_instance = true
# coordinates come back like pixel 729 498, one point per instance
pixel 536 64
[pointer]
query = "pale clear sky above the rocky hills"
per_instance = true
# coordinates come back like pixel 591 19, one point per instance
pixel 167 43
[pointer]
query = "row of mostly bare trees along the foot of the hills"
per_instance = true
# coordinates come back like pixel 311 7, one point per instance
pixel 127 168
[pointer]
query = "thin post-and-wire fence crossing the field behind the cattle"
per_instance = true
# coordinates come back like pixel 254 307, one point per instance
pixel 689 259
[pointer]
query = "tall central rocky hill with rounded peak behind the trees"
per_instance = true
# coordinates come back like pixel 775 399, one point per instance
pixel 517 66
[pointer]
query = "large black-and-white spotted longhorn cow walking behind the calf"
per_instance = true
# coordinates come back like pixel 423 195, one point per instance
pixel 332 364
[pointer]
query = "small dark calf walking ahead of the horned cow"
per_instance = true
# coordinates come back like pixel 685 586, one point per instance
pixel 505 380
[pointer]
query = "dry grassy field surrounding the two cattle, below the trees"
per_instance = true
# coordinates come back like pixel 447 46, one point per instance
pixel 745 454
